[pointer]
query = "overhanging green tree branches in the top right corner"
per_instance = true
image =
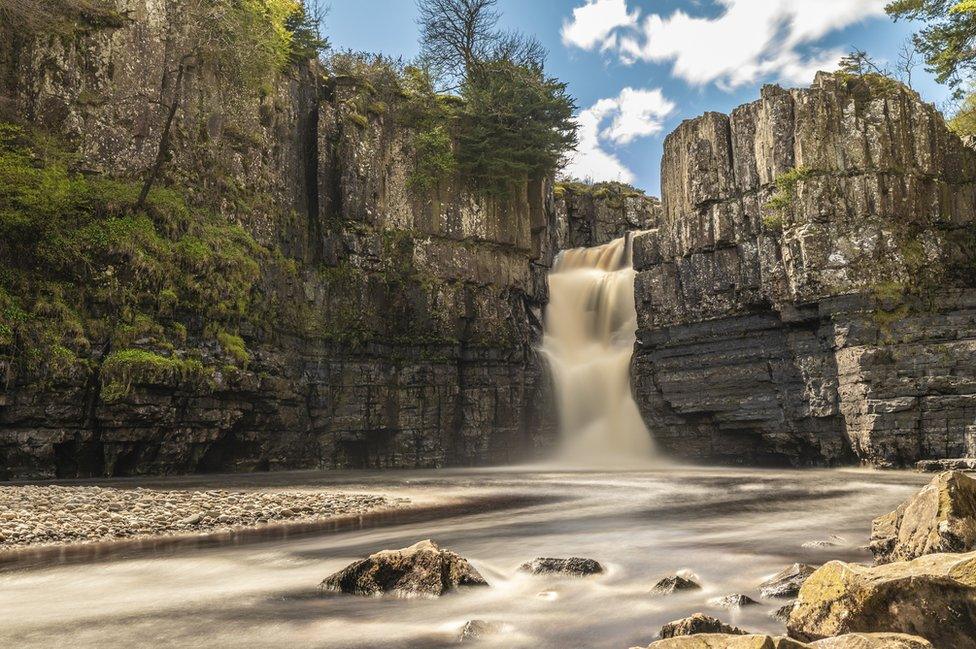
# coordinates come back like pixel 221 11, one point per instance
pixel 948 41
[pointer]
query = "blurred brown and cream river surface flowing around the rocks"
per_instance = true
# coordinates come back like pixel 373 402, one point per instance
pixel 730 527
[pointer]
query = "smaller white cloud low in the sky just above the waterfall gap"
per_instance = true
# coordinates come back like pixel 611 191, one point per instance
pixel 620 120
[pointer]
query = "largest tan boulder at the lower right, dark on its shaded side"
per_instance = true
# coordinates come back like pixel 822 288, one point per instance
pixel 933 596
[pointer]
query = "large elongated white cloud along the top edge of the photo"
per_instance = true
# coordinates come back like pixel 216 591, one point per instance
pixel 747 41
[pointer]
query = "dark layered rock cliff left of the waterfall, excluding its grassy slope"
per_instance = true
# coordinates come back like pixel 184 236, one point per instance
pixel 399 326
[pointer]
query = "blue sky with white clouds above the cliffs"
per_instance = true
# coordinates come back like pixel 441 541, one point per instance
pixel 638 68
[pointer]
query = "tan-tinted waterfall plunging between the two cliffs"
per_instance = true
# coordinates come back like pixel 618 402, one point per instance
pixel 590 331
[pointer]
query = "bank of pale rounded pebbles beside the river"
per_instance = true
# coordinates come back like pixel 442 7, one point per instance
pixel 52 515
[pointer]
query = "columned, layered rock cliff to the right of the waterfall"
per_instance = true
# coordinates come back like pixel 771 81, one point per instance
pixel 804 300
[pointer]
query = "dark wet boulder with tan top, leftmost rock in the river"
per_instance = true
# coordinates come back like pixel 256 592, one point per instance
pixel 422 570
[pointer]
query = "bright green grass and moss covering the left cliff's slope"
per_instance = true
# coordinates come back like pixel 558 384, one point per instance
pixel 80 266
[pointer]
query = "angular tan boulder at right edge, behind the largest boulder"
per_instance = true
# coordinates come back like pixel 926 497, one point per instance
pixel 939 518
